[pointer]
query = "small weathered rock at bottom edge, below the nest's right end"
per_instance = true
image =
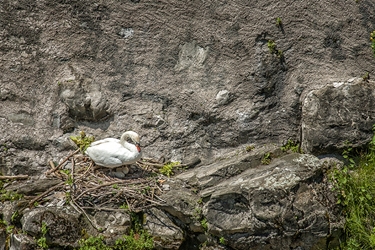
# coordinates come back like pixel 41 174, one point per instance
pixel 166 234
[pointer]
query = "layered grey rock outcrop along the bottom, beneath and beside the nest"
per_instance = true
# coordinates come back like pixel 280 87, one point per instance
pixel 239 201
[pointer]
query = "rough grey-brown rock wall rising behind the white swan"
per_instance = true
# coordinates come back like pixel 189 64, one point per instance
pixel 192 77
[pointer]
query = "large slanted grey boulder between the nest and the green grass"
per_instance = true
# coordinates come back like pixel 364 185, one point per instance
pixel 284 205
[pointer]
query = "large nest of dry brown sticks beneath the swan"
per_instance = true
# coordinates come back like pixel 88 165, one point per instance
pixel 87 187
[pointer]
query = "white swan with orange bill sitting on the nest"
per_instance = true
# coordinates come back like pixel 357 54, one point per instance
pixel 113 153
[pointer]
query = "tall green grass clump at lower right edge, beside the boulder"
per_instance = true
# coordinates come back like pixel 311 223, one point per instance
pixel 355 186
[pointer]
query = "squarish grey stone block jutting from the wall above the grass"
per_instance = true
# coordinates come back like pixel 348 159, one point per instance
pixel 337 114
